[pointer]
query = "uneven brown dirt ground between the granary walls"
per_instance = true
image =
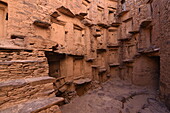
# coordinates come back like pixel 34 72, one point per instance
pixel 116 96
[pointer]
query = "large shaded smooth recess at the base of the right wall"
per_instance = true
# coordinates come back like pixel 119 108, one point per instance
pixel 146 71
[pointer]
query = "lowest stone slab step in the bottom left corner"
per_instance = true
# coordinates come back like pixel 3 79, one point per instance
pixel 36 106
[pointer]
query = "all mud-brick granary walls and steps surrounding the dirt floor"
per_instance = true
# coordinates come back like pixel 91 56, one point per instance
pixel 62 47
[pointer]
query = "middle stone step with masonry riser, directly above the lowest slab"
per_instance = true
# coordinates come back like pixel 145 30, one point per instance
pixel 20 90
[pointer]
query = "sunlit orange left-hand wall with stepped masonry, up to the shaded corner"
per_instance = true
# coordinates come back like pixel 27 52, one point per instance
pixel 60 44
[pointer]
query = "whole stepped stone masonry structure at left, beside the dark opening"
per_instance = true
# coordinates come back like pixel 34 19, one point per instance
pixel 25 86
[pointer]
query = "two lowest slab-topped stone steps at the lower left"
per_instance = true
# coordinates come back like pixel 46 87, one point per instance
pixel 31 95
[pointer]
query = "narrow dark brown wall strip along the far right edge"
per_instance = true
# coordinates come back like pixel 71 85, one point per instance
pixel 164 40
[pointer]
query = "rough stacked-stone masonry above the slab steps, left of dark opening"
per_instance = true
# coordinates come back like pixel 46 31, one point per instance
pixel 21 64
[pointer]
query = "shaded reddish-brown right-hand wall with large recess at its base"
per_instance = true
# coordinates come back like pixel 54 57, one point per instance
pixel 144 37
